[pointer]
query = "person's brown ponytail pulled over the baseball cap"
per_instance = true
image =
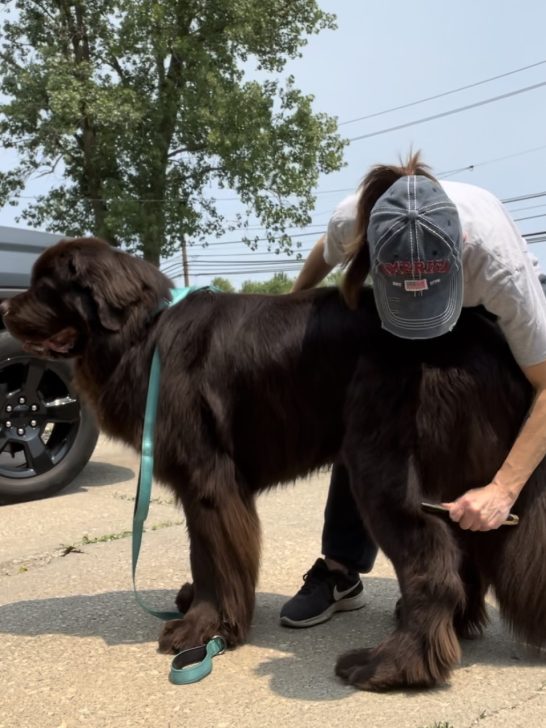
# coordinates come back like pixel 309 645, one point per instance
pixel 377 181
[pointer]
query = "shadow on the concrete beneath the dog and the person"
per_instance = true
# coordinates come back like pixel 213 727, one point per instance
pixel 304 670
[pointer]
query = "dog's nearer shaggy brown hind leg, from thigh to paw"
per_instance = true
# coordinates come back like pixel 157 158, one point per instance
pixel 424 647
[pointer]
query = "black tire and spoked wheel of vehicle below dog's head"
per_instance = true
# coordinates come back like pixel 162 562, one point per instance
pixel 46 434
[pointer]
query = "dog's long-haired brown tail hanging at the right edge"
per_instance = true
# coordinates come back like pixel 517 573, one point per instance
pixel 519 570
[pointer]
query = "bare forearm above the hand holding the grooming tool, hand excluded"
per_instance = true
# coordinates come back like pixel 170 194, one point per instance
pixel 527 451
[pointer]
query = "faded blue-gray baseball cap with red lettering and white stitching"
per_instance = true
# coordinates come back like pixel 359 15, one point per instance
pixel 415 242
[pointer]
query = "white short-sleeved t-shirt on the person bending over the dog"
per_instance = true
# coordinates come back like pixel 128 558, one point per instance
pixel 500 273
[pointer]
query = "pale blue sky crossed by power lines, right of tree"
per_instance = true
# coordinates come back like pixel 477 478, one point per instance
pixel 393 53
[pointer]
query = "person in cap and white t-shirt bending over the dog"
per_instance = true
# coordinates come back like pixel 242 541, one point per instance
pixel 430 248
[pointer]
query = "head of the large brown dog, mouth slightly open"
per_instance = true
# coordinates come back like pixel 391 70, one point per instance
pixel 79 288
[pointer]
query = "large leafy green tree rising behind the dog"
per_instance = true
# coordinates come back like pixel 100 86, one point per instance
pixel 145 105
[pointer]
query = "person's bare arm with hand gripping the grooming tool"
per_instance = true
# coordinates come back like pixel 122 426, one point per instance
pixel 482 509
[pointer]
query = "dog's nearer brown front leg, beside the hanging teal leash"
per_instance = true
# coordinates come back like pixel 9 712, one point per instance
pixel 224 533
